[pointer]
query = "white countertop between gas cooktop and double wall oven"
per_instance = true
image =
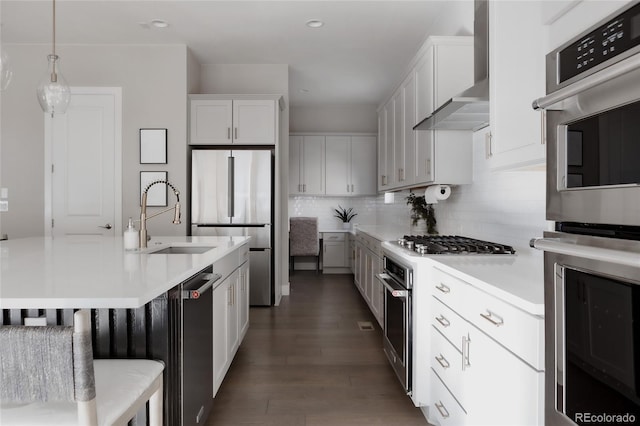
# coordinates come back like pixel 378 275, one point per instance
pixel 517 279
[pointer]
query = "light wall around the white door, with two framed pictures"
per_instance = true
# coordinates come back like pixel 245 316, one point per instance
pixel 154 87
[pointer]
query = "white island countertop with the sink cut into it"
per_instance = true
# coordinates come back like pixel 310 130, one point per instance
pixel 96 272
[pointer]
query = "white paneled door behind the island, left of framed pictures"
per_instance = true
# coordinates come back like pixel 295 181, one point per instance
pixel 85 165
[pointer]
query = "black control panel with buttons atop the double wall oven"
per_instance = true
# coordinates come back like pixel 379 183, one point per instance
pixel 616 36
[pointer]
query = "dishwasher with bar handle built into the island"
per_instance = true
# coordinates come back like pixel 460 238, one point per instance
pixel 197 347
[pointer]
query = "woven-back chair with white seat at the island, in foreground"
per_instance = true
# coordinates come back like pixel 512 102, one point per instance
pixel 49 377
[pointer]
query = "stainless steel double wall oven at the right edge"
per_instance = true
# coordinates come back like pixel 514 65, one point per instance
pixel 592 258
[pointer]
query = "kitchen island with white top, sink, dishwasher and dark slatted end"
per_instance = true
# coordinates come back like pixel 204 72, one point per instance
pixel 138 304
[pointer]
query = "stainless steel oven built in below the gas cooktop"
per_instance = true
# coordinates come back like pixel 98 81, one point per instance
pixel 397 280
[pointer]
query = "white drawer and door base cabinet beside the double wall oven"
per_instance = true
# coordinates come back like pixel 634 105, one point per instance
pixel 482 368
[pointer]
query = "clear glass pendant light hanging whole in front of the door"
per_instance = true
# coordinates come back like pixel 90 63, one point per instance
pixel 53 91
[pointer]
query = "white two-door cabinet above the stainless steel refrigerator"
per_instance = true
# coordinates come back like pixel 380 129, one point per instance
pixel 223 120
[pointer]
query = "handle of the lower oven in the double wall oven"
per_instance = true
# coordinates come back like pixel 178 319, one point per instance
pixel 557 245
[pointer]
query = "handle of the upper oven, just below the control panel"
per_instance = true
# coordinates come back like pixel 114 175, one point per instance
pixel 551 101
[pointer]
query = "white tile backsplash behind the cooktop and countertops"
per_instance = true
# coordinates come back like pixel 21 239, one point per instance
pixel 501 206
